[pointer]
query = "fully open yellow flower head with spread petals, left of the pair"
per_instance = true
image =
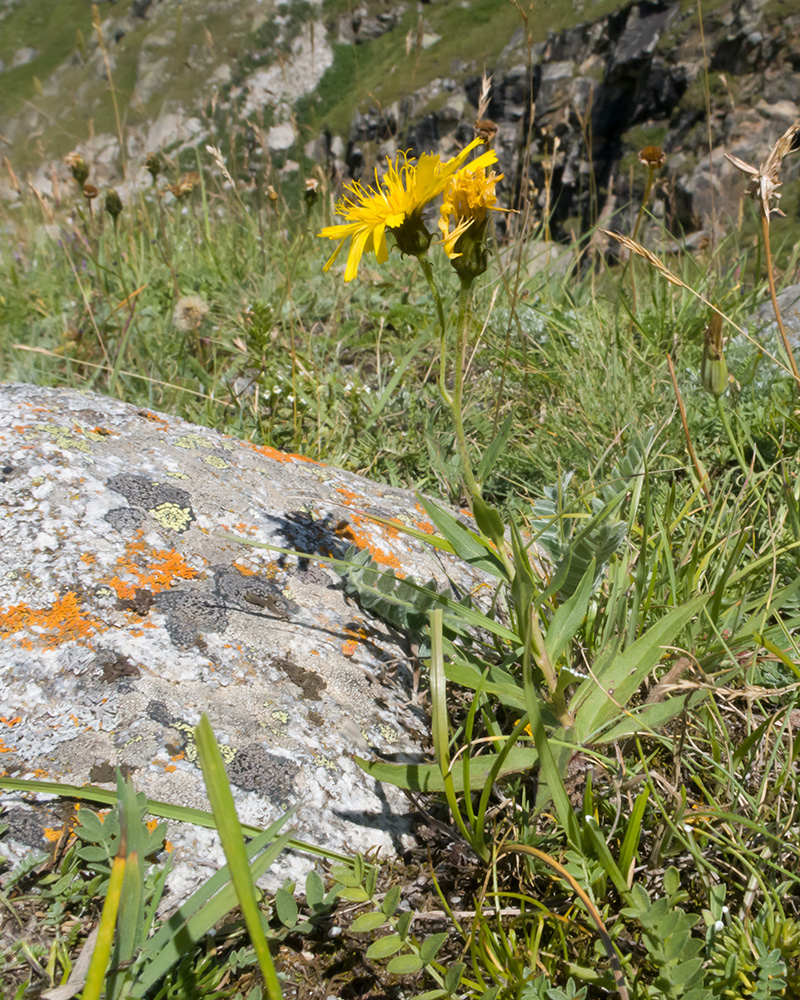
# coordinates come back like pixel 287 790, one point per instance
pixel 396 203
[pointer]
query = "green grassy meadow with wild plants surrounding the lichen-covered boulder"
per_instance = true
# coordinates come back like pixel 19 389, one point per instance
pixel 613 748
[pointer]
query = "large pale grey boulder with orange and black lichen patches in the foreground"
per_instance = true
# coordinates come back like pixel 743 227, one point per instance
pixel 128 607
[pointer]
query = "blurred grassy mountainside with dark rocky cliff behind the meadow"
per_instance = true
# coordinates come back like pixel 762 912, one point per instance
pixel 307 83
